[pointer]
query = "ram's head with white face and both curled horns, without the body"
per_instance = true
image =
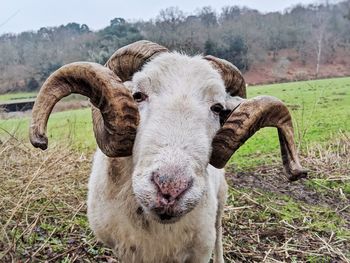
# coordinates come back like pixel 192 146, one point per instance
pixel 173 114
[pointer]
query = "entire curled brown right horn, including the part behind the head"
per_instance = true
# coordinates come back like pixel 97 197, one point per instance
pixel 250 116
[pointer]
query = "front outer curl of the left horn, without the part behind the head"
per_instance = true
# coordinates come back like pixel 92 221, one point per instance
pixel 115 131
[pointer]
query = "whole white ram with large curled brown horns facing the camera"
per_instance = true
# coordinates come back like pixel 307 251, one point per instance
pixel 165 124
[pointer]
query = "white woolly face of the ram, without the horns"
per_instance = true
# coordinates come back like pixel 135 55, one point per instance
pixel 179 99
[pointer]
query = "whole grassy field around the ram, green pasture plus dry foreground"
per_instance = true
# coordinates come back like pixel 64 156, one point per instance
pixel 42 197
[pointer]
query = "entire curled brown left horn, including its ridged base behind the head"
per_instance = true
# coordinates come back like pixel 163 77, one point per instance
pixel 115 114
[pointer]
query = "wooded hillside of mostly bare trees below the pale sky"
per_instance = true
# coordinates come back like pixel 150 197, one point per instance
pixel 241 35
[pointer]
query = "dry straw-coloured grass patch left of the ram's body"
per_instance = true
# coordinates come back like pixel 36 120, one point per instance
pixel 42 204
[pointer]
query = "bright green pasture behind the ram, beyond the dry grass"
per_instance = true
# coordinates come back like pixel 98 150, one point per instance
pixel 320 111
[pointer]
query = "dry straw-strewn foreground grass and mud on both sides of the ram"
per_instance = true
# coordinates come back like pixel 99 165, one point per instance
pixel 43 210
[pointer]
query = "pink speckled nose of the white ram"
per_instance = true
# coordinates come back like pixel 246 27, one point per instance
pixel 170 187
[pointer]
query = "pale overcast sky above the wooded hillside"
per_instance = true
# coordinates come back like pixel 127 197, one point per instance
pixel 20 15
